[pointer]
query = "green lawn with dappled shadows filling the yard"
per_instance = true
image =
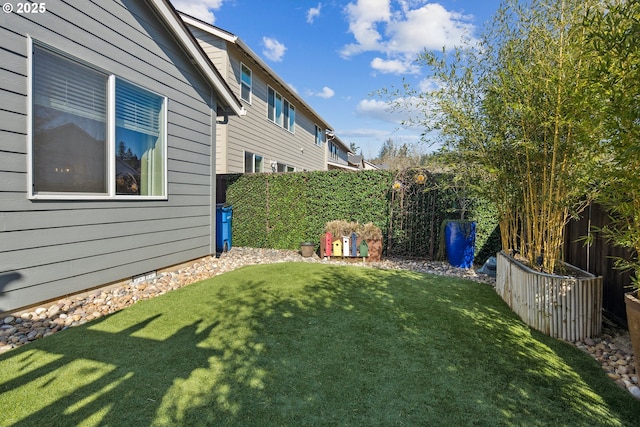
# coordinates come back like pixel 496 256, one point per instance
pixel 302 344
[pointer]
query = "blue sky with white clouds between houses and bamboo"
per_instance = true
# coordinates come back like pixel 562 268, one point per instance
pixel 337 54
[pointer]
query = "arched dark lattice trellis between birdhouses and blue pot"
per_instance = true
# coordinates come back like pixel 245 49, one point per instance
pixel 414 220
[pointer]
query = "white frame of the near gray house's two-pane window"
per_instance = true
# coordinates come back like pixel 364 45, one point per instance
pixel 110 135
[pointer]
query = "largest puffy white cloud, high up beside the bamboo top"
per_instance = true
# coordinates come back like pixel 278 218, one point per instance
pixel 402 32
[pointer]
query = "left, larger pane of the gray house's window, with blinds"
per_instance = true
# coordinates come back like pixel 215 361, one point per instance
pixel 69 130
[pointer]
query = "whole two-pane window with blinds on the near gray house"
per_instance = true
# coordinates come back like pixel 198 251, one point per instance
pixel 77 148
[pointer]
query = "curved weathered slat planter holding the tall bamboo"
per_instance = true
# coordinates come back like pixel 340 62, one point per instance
pixel 565 307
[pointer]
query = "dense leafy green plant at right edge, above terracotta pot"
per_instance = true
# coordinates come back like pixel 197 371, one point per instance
pixel 615 38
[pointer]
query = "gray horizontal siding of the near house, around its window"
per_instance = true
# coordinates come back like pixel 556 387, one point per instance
pixel 50 248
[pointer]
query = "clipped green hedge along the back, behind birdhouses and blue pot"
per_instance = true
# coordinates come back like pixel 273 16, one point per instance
pixel 282 210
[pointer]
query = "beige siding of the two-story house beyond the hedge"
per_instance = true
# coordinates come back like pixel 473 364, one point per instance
pixel 254 132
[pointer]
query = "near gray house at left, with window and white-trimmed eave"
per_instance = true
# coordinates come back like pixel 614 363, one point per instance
pixel 107 135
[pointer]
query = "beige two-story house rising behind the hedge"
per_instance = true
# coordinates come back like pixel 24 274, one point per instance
pixel 280 132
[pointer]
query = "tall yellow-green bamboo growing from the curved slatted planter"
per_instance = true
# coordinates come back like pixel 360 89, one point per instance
pixel 515 105
